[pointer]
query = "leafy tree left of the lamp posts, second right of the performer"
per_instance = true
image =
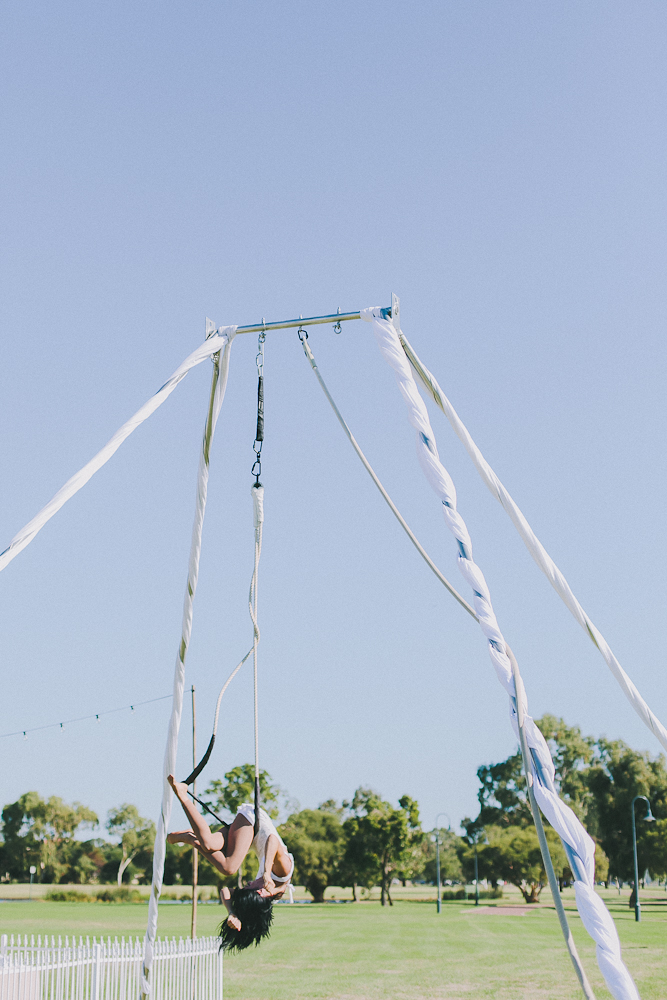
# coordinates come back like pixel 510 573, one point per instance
pixel 379 839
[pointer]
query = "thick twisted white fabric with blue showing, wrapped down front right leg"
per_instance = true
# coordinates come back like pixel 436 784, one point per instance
pixel 578 844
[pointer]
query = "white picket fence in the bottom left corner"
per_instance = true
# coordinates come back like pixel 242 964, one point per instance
pixel 43 969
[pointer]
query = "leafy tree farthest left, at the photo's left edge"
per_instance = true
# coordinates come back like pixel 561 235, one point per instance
pixel 41 832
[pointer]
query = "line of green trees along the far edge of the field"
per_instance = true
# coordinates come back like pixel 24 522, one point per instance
pixel 367 841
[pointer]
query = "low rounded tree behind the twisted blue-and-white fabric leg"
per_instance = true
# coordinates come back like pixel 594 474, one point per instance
pixel 513 854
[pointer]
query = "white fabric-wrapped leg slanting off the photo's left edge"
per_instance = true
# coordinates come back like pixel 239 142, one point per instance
pixel 80 478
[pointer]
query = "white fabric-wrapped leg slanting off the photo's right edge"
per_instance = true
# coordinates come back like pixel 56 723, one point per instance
pixel 535 547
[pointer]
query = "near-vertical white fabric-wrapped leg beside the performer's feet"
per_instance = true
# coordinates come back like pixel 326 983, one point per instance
pixel 224 337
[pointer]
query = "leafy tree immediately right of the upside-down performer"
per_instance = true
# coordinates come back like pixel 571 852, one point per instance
pixel 316 839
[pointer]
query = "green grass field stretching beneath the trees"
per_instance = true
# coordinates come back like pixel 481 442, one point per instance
pixel 364 952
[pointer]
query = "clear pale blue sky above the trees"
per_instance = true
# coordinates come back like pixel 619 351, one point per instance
pixel 501 167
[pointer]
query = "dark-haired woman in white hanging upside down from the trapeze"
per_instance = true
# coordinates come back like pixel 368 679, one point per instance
pixel 250 909
